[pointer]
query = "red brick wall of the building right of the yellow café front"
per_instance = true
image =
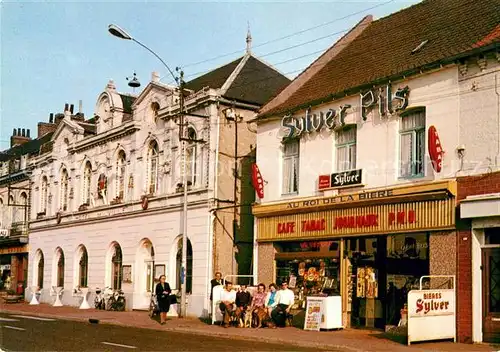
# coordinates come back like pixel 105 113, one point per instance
pixel 468 186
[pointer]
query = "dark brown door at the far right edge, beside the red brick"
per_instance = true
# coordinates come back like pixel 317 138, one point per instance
pixel 491 294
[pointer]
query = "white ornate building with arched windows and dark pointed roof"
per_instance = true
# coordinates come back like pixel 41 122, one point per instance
pixel 108 191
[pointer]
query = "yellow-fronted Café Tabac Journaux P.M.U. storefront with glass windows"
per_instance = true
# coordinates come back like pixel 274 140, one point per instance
pixel 369 247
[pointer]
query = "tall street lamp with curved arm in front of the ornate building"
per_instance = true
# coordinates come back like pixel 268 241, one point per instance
pixel 118 32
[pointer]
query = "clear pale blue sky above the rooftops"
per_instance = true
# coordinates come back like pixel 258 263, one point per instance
pixel 57 52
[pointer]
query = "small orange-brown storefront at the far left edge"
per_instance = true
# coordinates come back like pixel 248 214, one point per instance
pixel 13 268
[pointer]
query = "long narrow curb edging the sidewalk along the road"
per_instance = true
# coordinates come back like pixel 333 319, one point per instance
pixel 319 346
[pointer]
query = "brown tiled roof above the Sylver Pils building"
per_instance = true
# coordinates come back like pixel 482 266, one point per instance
pixel 384 49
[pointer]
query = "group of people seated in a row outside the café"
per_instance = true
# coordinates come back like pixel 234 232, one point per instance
pixel 263 307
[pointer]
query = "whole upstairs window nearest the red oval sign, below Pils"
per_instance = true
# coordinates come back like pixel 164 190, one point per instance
pixel 412 144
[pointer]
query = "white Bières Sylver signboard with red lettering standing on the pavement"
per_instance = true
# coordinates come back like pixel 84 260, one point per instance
pixel 431 315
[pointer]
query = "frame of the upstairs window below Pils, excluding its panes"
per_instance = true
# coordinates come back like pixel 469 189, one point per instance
pixel 415 132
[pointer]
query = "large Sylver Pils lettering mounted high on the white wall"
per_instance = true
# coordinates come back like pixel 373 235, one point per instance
pixel 331 119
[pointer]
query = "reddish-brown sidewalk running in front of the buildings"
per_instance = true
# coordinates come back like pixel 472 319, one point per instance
pixel 348 340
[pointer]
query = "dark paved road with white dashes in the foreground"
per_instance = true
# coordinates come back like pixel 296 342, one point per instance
pixel 30 333
